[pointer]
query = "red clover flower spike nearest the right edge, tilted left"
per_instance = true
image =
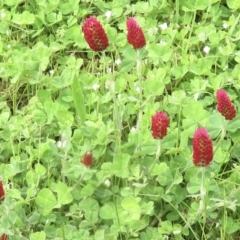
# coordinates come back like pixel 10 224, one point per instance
pixel 224 105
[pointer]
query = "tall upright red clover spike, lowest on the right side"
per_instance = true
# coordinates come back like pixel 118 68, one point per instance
pixel 202 148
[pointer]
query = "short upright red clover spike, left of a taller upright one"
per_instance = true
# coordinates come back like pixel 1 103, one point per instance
pixel 159 125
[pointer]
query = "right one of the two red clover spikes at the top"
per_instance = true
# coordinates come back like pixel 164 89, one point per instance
pixel 135 34
